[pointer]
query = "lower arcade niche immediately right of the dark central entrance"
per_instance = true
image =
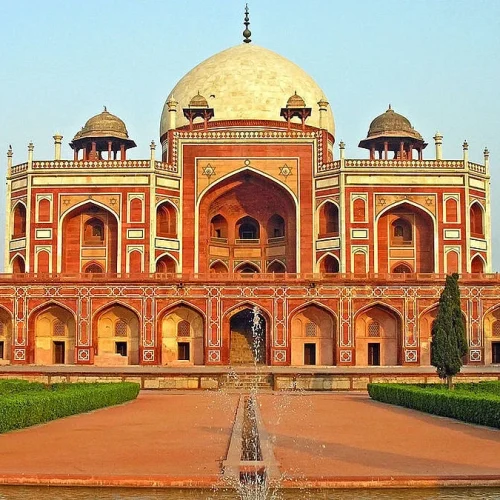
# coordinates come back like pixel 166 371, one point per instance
pixel 313 337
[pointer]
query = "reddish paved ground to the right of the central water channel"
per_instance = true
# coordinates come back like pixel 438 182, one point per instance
pixel 349 436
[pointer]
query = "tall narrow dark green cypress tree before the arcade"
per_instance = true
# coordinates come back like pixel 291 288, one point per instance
pixel 449 342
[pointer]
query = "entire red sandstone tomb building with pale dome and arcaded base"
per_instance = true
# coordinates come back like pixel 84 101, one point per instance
pixel 112 261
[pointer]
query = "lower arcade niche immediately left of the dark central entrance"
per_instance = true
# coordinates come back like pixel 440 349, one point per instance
pixel 181 337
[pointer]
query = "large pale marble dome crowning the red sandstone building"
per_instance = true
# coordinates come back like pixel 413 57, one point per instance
pixel 246 82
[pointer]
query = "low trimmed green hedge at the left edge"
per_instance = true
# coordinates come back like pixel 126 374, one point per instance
pixel 33 407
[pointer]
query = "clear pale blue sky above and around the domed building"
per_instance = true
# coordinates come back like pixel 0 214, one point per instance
pixel 435 61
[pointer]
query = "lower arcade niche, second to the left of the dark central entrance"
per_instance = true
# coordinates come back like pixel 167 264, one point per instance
pixel 116 334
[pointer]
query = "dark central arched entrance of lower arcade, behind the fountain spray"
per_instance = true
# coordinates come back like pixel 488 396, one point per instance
pixel 248 338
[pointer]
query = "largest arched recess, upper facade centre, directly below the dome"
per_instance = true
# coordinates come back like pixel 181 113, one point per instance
pixel 260 213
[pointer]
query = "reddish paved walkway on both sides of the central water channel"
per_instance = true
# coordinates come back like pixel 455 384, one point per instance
pixel 174 438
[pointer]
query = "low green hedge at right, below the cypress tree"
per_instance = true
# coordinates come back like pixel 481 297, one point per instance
pixel 476 404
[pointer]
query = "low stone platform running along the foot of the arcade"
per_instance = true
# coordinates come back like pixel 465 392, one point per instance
pixel 243 377
